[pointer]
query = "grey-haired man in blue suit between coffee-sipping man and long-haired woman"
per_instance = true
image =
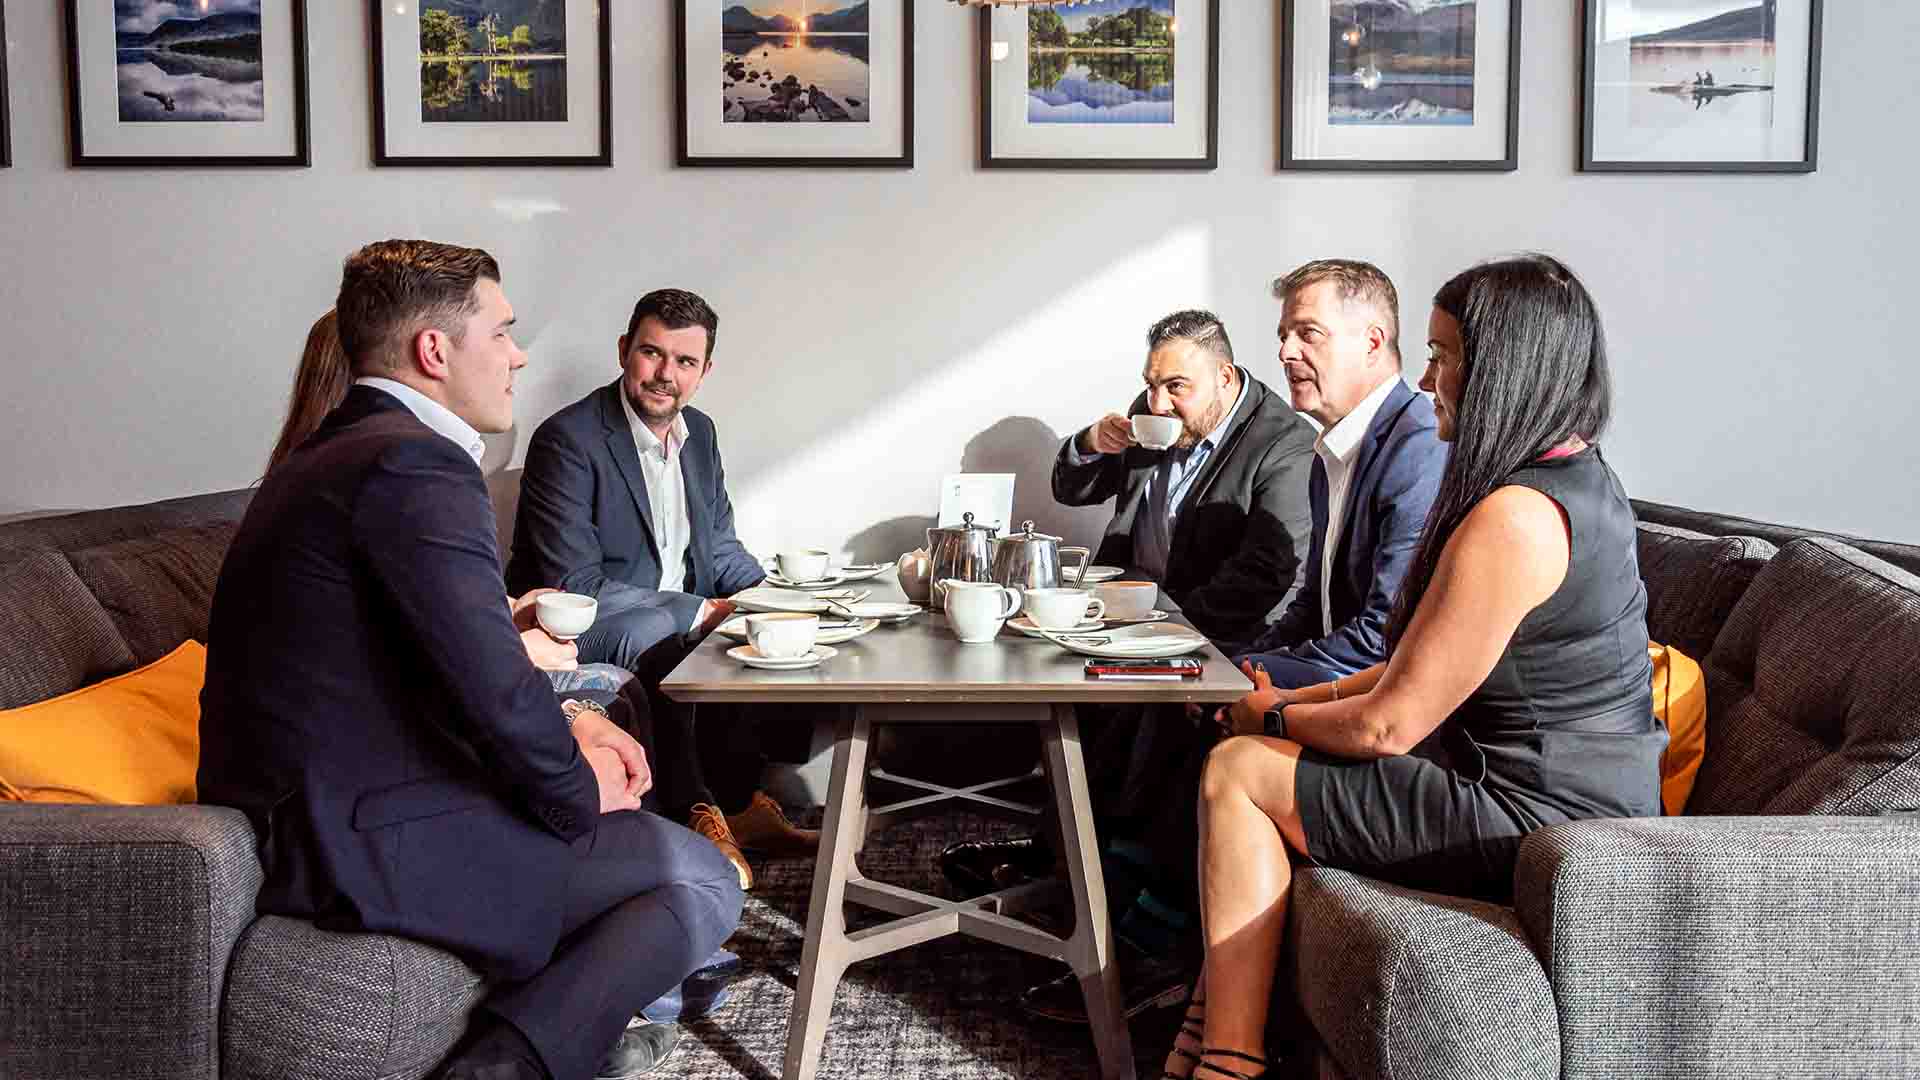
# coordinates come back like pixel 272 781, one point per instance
pixel 1376 474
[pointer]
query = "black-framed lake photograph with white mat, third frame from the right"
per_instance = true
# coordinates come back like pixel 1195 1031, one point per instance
pixel 1101 86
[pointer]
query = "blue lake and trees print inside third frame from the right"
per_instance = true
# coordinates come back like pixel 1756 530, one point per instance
pixel 1101 62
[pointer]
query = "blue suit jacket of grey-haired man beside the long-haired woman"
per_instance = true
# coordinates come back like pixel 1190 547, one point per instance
pixel 1397 476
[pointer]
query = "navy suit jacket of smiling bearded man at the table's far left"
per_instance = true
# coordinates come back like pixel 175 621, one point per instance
pixel 585 522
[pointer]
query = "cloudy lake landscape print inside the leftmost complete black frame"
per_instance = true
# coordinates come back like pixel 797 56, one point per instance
pixel 197 66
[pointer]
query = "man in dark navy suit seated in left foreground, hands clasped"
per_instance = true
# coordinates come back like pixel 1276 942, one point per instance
pixel 373 712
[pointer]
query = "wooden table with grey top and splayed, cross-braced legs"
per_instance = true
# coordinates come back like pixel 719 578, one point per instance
pixel 923 674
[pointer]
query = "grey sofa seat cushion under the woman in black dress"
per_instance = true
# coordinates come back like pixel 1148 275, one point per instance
pixel 1401 983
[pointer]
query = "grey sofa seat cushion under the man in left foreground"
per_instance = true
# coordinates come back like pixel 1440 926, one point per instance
pixel 308 1004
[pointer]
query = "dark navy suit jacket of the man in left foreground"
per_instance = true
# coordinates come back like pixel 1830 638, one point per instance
pixel 372 708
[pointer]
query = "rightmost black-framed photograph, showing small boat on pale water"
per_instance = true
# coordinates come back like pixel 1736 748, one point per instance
pixel 1702 87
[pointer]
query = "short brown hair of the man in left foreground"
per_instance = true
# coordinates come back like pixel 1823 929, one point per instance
pixel 396 289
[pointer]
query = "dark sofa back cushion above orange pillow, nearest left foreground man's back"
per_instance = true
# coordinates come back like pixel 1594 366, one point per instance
pixel 158 589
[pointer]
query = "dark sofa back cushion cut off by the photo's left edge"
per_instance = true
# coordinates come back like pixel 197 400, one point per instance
pixel 55 637
